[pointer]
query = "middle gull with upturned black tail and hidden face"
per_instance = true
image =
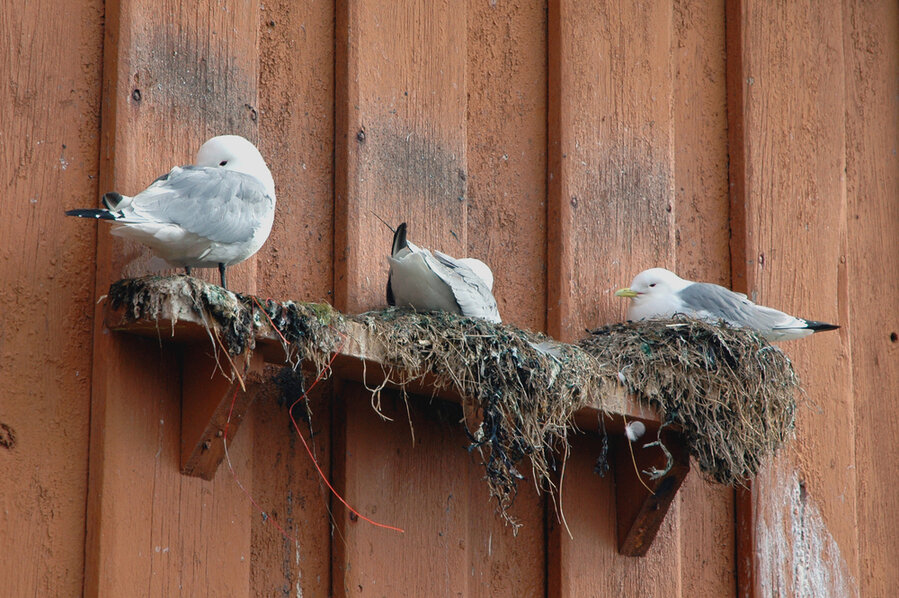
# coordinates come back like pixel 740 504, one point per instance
pixel 427 281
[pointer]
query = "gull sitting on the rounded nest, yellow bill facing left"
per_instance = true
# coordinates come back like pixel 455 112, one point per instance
pixel 659 293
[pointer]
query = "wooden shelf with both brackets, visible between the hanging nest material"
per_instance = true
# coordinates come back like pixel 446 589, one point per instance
pixel 208 396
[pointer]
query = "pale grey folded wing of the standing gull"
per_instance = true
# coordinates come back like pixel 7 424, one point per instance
pixel 221 205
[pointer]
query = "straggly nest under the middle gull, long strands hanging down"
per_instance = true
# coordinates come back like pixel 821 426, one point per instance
pixel 525 386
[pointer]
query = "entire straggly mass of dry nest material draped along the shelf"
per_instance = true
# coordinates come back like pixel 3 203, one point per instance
pixel 728 391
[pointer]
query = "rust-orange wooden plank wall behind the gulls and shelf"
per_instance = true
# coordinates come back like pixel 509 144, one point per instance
pixel 570 145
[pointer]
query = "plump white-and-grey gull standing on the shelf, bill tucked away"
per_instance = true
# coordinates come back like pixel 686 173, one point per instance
pixel 217 212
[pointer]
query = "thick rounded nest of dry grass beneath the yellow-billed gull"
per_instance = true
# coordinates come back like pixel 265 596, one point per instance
pixel 730 393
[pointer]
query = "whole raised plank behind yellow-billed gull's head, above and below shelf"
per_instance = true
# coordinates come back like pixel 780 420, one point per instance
pixel 611 195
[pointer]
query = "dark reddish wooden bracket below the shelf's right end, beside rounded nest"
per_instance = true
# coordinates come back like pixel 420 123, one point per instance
pixel 642 510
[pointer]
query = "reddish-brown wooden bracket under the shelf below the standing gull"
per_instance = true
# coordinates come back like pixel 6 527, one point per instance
pixel 208 397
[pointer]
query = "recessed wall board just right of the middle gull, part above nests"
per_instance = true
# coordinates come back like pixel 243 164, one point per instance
pixel 506 75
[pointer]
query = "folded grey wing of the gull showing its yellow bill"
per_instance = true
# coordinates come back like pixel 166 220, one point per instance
pixel 715 302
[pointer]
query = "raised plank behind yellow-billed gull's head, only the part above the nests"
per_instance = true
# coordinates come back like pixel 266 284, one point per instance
pixel 611 165
